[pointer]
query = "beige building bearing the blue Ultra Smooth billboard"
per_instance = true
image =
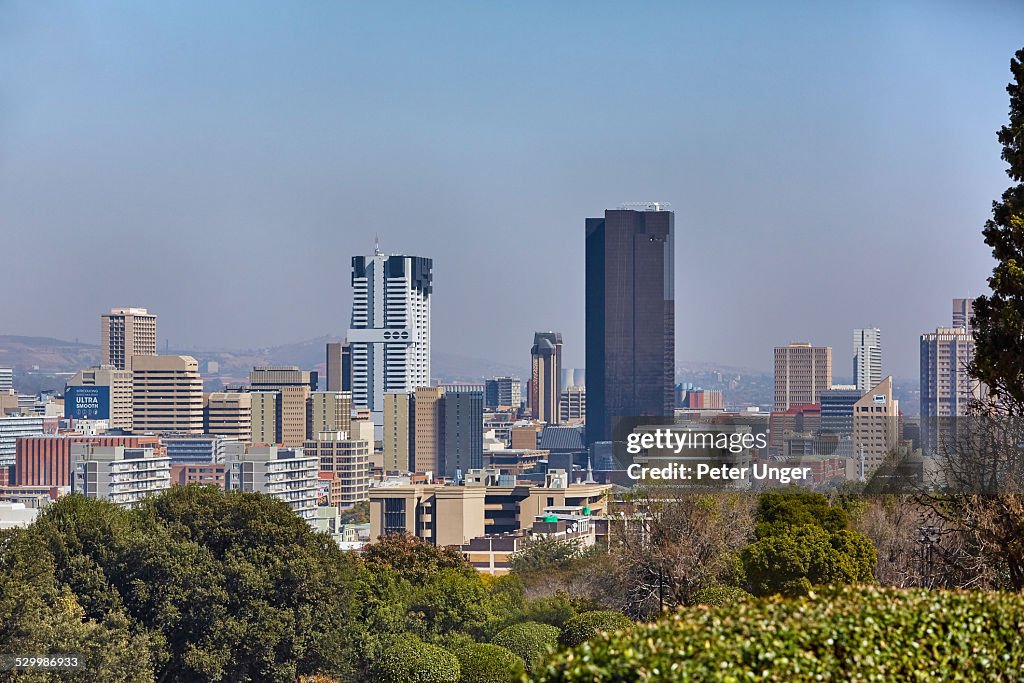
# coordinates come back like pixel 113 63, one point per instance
pixel 102 393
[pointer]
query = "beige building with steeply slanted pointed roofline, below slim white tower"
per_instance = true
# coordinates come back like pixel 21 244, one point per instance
pixel 876 429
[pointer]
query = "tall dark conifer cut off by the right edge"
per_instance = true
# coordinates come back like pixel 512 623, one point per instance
pixel 1000 317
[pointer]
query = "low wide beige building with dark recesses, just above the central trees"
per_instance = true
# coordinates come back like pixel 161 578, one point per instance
pixel 448 516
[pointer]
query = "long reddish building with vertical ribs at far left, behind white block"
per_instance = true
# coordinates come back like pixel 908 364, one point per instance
pixel 46 460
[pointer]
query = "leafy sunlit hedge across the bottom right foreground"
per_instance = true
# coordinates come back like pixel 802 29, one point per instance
pixel 841 634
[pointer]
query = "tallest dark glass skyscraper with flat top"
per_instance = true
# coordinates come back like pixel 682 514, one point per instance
pixel 630 317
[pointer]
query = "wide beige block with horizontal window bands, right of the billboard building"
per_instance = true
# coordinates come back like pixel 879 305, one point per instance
pixel 167 395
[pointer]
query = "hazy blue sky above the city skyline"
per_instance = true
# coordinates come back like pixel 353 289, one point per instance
pixel 831 164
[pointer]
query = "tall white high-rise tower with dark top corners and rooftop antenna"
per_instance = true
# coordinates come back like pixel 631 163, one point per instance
pixel 390 334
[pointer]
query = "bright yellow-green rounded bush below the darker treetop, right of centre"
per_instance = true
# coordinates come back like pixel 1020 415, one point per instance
pixel 794 561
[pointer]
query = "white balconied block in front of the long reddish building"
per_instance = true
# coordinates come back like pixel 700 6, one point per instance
pixel 122 476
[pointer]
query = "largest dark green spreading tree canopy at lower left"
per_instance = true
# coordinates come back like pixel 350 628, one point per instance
pixel 228 586
